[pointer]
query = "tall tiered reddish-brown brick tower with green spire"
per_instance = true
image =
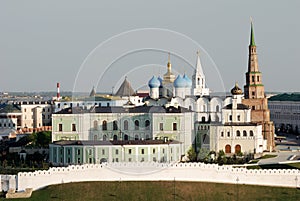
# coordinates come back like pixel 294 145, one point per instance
pixel 255 96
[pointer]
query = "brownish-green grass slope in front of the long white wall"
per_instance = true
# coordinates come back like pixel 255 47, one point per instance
pixel 147 191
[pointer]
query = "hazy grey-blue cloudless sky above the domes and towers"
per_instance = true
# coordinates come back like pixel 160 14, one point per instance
pixel 85 44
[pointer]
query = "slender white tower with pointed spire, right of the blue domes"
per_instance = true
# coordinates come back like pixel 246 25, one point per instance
pixel 199 85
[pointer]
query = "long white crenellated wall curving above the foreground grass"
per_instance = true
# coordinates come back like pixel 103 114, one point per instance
pixel 157 172
